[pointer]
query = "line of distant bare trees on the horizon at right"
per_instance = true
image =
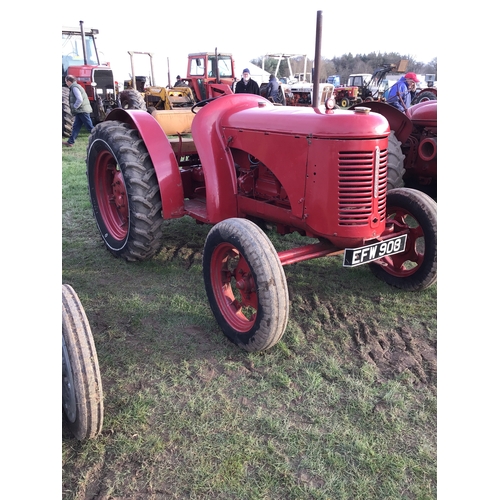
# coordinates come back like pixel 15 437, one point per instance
pixel 346 65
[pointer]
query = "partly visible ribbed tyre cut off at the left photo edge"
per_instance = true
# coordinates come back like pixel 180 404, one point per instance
pixel 82 396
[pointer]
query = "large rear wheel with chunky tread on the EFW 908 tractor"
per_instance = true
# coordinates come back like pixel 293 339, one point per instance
pixel 124 191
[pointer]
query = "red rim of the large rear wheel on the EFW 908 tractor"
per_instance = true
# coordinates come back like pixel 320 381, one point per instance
pixel 111 195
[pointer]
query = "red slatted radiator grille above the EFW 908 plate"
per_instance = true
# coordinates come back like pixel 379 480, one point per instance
pixel 361 197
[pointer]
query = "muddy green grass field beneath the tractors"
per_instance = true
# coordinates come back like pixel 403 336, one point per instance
pixel 330 412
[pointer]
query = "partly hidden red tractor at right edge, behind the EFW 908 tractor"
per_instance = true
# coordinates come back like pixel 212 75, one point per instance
pixel 412 145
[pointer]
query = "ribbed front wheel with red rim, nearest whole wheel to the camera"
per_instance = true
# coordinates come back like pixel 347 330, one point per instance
pixel 245 284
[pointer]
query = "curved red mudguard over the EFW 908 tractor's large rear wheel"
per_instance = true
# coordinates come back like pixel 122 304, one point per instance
pixel 162 156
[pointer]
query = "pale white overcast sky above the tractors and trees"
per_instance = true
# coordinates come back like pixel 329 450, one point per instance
pixel 245 32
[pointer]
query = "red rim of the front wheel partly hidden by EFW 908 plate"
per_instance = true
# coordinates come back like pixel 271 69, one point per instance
pixel 406 263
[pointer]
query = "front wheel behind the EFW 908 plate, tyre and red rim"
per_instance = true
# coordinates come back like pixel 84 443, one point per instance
pixel 415 213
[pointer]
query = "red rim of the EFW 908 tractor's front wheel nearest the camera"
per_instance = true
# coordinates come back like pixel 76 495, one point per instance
pixel 234 287
